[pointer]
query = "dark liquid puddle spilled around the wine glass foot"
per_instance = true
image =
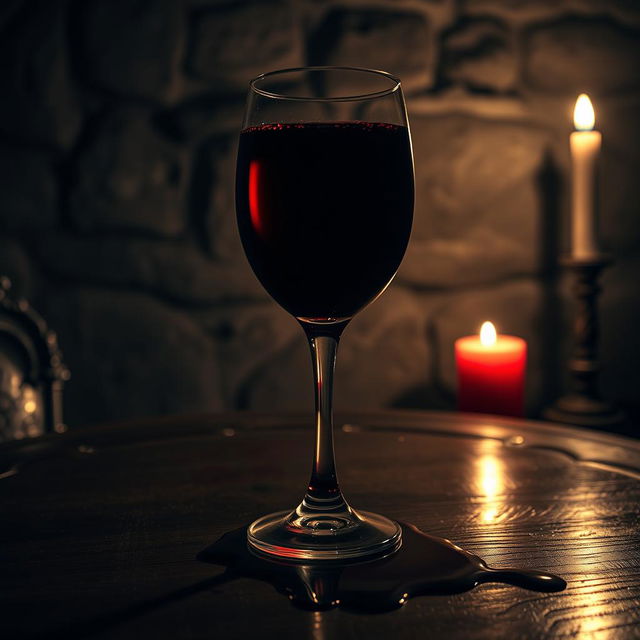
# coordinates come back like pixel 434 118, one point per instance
pixel 423 565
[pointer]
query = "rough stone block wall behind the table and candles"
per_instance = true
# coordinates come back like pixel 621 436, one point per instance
pixel 118 125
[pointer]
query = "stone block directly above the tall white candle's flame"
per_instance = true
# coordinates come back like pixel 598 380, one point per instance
pixel 582 54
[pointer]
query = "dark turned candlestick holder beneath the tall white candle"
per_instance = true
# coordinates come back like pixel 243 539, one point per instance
pixel 583 405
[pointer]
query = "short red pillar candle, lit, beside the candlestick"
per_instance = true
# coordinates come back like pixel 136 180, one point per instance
pixel 491 372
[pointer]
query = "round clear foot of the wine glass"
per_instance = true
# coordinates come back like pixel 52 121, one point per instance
pixel 366 534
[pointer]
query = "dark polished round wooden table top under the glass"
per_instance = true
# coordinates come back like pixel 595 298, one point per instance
pixel 101 527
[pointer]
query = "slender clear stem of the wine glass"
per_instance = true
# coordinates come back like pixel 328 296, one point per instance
pixel 323 493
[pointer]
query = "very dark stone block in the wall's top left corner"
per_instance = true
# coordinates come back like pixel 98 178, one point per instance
pixel 38 99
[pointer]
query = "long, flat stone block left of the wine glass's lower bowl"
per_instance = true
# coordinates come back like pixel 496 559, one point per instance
pixel 173 270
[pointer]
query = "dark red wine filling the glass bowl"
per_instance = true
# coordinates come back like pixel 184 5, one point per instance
pixel 325 212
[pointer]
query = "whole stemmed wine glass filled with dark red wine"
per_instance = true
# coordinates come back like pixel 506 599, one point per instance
pixel 324 198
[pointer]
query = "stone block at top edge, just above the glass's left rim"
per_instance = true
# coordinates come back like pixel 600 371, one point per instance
pixel 231 43
